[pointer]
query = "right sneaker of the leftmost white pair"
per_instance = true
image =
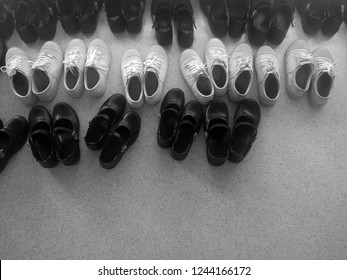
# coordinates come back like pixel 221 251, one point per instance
pixel 46 71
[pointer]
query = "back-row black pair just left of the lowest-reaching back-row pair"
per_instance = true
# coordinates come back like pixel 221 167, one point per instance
pixel 123 14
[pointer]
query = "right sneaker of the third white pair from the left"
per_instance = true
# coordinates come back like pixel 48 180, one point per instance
pixel 155 69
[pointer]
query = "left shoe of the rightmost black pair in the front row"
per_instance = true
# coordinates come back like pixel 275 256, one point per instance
pixel 217 132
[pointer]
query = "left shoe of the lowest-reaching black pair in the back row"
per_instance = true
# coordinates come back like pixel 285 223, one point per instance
pixel 161 16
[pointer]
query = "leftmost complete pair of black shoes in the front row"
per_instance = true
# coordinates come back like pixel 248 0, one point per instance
pixel 54 138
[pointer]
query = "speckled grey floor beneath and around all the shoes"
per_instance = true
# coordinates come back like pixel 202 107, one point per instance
pixel 286 200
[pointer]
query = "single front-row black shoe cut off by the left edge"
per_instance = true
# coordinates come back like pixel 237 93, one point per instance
pixel 12 138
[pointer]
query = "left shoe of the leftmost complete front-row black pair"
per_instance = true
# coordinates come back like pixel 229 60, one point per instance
pixel 40 137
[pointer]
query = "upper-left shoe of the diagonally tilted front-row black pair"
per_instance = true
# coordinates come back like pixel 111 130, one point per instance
pixel 110 113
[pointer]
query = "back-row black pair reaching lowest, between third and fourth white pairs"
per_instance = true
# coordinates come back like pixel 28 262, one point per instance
pixel 181 11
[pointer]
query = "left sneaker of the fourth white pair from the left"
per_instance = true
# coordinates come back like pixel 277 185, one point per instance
pixel 196 76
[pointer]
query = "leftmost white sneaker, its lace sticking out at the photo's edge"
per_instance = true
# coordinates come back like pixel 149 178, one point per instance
pixel 19 72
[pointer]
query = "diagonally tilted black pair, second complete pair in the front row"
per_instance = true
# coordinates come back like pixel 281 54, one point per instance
pixel 112 132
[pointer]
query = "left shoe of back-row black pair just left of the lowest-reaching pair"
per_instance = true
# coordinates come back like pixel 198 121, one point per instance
pixel 114 15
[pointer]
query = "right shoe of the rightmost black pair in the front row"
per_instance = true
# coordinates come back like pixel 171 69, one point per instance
pixel 246 122
